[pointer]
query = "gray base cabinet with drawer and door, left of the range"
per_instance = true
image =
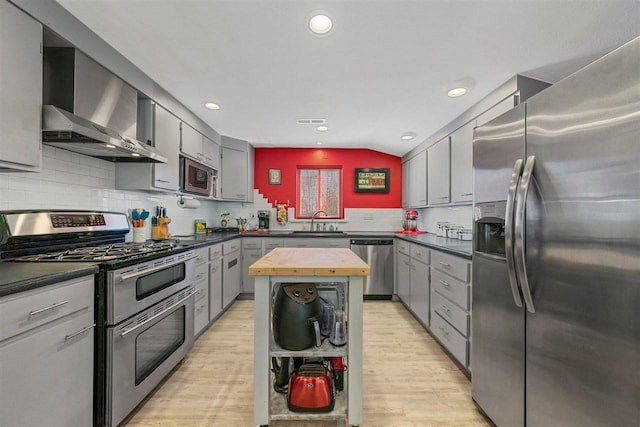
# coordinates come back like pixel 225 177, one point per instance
pixel 46 355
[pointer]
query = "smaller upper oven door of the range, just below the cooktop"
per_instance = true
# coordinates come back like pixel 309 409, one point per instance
pixel 135 288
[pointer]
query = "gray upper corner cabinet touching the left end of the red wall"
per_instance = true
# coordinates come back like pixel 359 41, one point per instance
pixel 235 173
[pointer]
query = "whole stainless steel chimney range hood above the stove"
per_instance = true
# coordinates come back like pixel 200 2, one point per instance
pixel 89 110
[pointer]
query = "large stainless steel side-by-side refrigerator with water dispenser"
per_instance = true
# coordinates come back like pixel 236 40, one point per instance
pixel 556 261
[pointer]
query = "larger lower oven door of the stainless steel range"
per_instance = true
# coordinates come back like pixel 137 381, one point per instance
pixel 143 350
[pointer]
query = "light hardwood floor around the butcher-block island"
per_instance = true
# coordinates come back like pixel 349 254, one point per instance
pixel 408 380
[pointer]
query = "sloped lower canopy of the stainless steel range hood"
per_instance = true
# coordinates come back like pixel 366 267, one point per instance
pixel 70 132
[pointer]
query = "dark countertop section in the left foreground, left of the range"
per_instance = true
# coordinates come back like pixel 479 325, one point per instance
pixel 22 276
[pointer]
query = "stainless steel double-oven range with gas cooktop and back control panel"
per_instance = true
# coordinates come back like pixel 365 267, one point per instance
pixel 144 298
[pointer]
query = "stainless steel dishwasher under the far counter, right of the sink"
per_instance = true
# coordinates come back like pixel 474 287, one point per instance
pixel 378 253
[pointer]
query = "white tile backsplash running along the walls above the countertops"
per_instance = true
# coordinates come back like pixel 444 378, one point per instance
pixel 73 181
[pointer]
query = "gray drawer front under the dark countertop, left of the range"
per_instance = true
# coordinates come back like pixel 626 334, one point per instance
pixel 26 310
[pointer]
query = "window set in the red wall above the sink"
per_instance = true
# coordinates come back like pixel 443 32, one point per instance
pixel 319 190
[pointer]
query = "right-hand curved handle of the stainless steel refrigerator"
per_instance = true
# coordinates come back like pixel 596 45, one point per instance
pixel 521 200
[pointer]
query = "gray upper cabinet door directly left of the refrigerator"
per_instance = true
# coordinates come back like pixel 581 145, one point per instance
pixel 462 164
